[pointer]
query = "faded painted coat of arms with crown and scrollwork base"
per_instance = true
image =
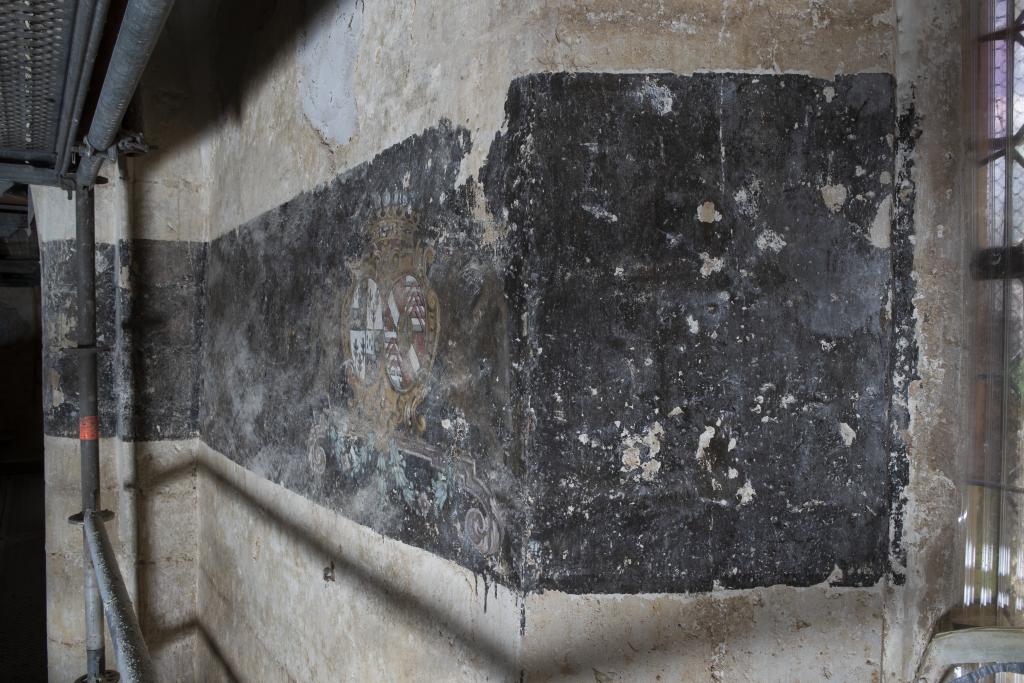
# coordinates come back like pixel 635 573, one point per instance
pixel 391 330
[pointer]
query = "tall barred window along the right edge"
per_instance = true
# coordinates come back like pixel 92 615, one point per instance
pixel 994 513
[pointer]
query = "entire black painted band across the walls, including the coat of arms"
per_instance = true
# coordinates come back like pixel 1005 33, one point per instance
pixel 662 364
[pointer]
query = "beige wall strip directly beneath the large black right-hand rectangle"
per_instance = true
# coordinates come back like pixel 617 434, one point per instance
pixel 777 634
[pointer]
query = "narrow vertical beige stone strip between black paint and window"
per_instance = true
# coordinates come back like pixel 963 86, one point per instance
pixel 930 80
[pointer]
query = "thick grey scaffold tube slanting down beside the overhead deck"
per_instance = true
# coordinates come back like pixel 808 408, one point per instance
pixel 140 30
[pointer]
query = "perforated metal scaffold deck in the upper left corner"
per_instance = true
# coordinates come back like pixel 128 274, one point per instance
pixel 32 42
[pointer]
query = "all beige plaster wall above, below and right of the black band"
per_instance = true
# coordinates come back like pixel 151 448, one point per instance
pixel 253 134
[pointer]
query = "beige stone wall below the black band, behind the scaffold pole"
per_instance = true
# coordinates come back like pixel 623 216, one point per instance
pixel 161 570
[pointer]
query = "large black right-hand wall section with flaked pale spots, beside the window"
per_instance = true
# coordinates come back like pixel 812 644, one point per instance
pixel 703 271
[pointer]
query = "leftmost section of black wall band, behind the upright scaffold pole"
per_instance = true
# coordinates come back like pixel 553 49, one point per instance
pixel 150 318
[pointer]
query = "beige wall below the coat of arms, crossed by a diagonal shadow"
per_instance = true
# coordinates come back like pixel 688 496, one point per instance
pixel 290 590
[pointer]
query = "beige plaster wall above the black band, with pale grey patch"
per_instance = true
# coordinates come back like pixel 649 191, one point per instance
pixel 416 64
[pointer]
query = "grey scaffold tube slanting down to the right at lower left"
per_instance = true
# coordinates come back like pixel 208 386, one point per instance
pixel 135 664
